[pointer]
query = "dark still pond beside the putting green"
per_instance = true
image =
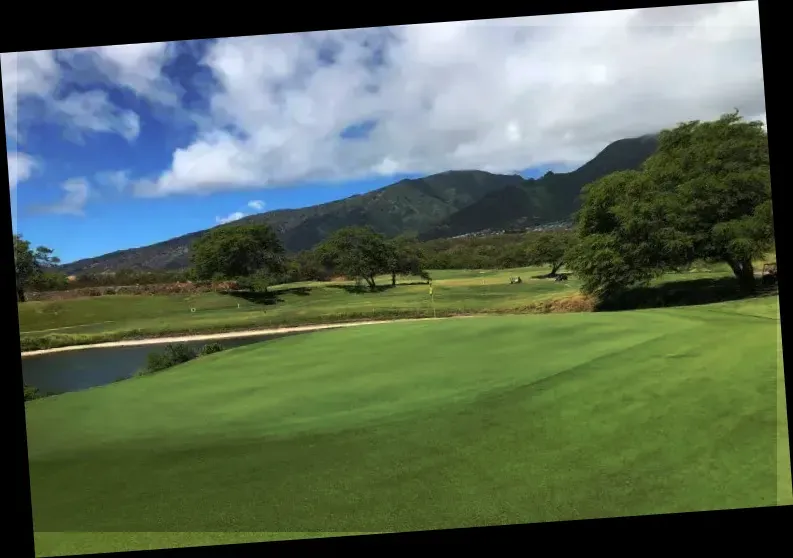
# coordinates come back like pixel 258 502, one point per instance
pixel 85 368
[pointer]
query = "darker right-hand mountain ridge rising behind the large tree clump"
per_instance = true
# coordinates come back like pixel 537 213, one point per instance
pixel 551 198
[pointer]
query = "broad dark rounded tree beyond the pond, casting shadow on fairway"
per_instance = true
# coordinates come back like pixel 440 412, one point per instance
pixel 236 251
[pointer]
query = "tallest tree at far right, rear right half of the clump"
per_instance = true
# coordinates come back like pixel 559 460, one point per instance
pixel 721 174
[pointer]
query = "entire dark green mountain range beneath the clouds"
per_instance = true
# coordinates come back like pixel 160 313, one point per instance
pixel 440 205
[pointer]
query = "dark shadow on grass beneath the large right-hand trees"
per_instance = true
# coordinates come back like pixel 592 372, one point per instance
pixel 684 293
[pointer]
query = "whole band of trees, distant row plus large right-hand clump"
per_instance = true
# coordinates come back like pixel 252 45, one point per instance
pixel 704 195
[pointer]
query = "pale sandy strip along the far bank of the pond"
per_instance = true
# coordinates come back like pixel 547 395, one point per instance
pixel 228 335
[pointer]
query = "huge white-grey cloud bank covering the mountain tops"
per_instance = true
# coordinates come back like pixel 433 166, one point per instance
pixel 499 94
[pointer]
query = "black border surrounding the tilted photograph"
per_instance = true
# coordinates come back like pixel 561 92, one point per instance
pixel 716 529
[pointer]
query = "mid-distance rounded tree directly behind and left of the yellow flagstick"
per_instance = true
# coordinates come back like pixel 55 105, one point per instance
pixel 357 252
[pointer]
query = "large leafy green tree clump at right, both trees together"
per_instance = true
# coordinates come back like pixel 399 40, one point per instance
pixel 705 194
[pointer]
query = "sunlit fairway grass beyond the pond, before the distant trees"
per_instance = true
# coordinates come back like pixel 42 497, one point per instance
pixel 109 318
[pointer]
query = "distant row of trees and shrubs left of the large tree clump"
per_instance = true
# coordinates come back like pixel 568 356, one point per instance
pixel 253 256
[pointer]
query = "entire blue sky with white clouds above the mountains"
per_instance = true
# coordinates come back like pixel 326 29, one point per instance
pixel 121 146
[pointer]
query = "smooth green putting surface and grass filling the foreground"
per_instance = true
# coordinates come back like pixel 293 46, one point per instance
pixel 420 425
